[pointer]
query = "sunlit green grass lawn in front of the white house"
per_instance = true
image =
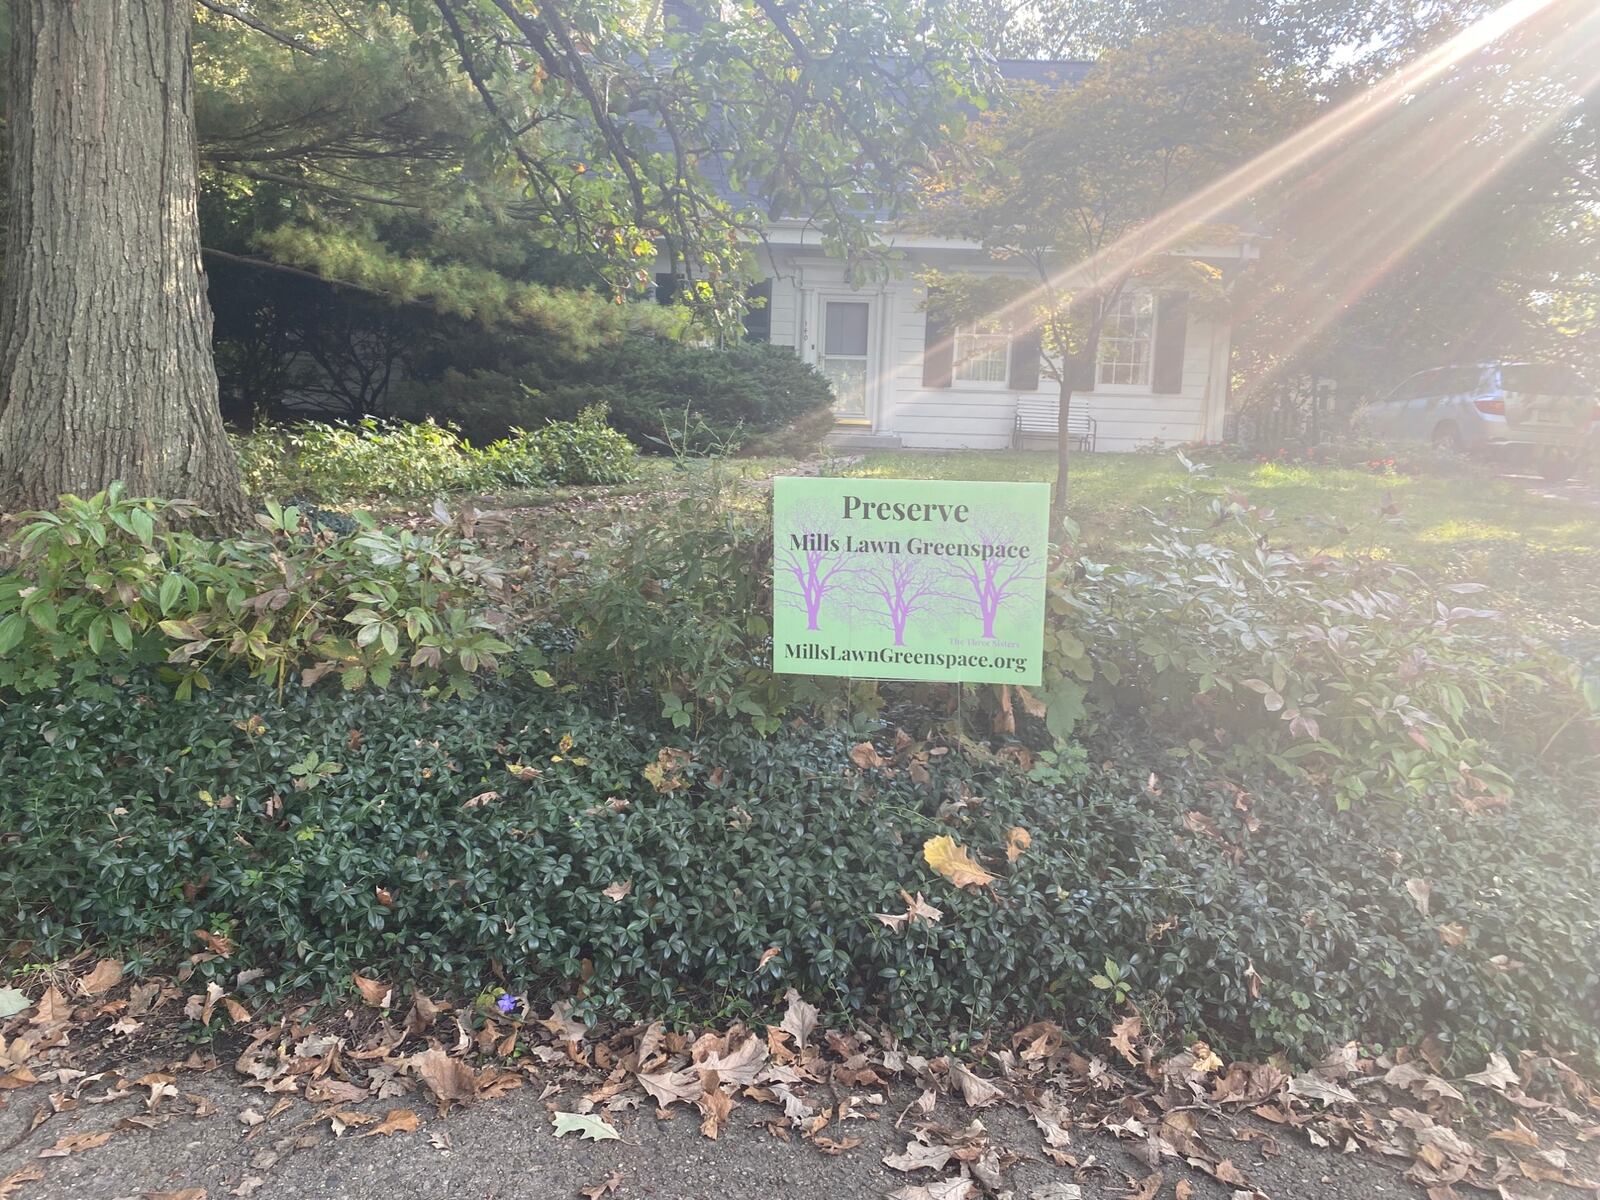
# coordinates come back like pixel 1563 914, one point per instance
pixel 1540 554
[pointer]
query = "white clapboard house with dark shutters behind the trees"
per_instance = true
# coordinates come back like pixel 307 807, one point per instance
pixel 902 380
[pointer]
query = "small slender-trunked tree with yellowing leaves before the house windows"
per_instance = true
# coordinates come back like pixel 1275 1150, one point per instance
pixel 1081 186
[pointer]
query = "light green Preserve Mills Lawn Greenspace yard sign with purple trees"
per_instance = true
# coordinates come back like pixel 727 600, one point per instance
pixel 929 580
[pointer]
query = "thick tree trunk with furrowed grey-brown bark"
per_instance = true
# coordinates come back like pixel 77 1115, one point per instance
pixel 105 332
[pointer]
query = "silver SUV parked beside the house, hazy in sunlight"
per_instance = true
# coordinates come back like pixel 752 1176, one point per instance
pixel 1532 409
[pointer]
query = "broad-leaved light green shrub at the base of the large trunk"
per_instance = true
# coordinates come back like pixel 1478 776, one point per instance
pixel 102 590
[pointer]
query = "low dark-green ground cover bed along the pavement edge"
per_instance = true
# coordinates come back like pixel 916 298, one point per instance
pixel 478 839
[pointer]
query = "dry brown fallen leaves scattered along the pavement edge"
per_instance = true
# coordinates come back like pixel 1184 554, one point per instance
pixel 1497 1132
